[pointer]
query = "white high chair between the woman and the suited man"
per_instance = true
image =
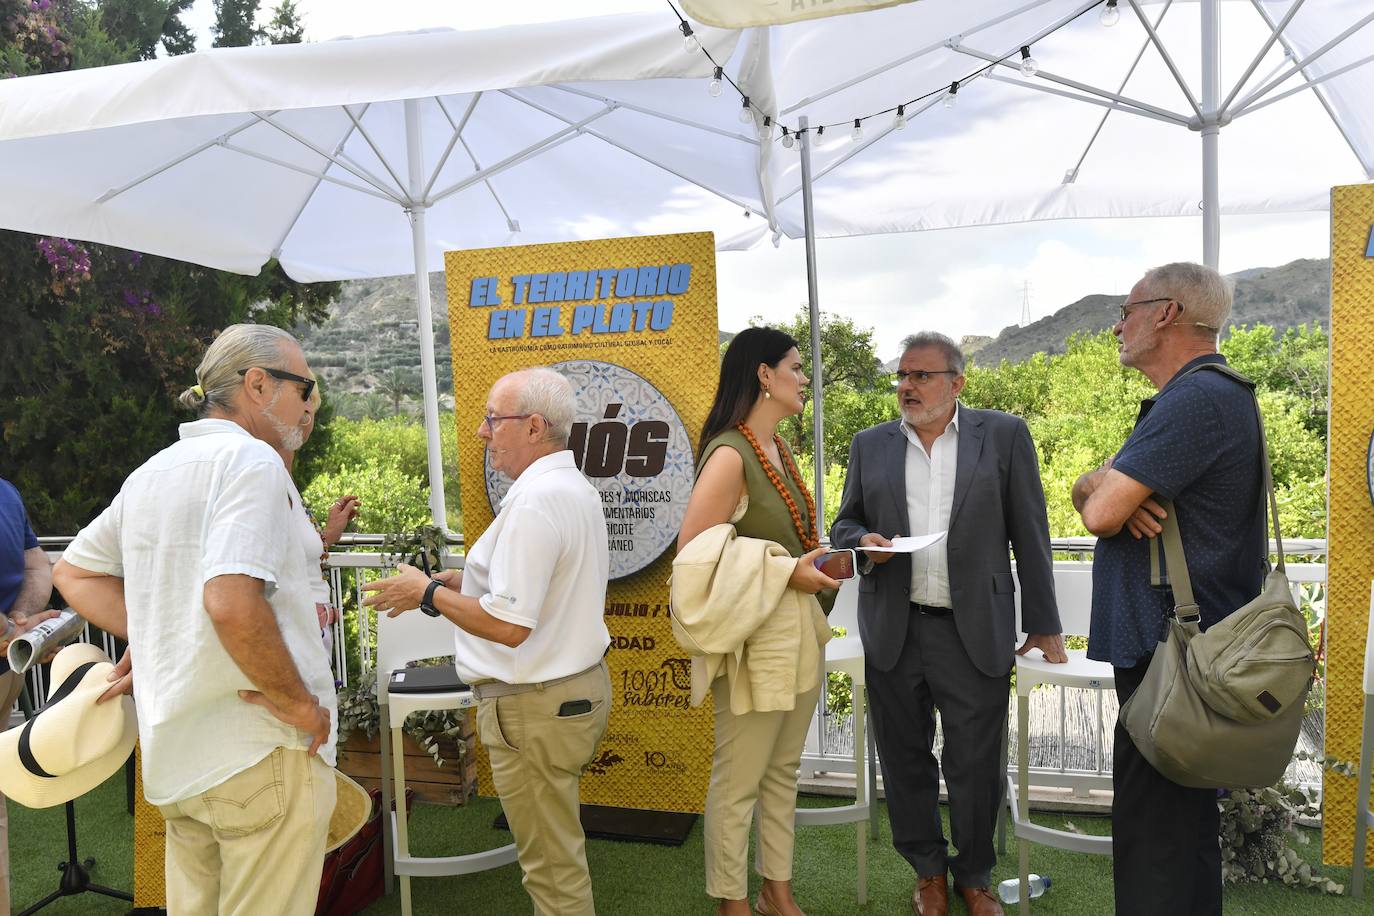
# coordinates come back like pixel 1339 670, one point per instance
pixel 846 656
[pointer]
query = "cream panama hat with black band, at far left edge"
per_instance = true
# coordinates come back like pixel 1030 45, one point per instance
pixel 74 745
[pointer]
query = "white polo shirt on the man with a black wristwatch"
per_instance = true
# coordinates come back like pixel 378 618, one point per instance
pixel 542 564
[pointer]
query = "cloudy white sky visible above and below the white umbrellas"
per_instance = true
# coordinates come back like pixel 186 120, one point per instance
pixel 957 281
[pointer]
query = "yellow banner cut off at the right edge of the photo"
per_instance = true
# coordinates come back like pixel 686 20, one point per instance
pixel 1350 549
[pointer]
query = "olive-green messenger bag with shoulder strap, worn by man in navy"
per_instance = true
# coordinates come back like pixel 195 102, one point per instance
pixel 1222 709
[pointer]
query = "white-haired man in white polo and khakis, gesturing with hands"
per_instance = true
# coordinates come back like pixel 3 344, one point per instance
pixel 528 612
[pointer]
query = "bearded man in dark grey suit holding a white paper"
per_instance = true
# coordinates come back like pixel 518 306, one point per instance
pixel 939 627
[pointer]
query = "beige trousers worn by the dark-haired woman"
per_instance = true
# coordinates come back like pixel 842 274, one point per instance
pixel 756 762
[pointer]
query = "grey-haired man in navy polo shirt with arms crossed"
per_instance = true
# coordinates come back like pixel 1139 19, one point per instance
pixel 1197 443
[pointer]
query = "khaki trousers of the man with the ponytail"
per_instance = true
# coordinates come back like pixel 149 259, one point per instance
pixel 255 844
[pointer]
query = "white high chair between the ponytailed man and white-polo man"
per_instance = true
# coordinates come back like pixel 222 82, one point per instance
pixel 401 641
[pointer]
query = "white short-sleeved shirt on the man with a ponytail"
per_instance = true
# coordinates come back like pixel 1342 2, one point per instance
pixel 216 503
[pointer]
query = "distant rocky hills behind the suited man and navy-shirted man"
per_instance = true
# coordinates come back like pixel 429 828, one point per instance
pixel 1285 297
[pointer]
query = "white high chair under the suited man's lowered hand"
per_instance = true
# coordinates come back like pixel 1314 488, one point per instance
pixel 1074 591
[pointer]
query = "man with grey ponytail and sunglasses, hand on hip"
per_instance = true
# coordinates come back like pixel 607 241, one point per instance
pixel 196 565
